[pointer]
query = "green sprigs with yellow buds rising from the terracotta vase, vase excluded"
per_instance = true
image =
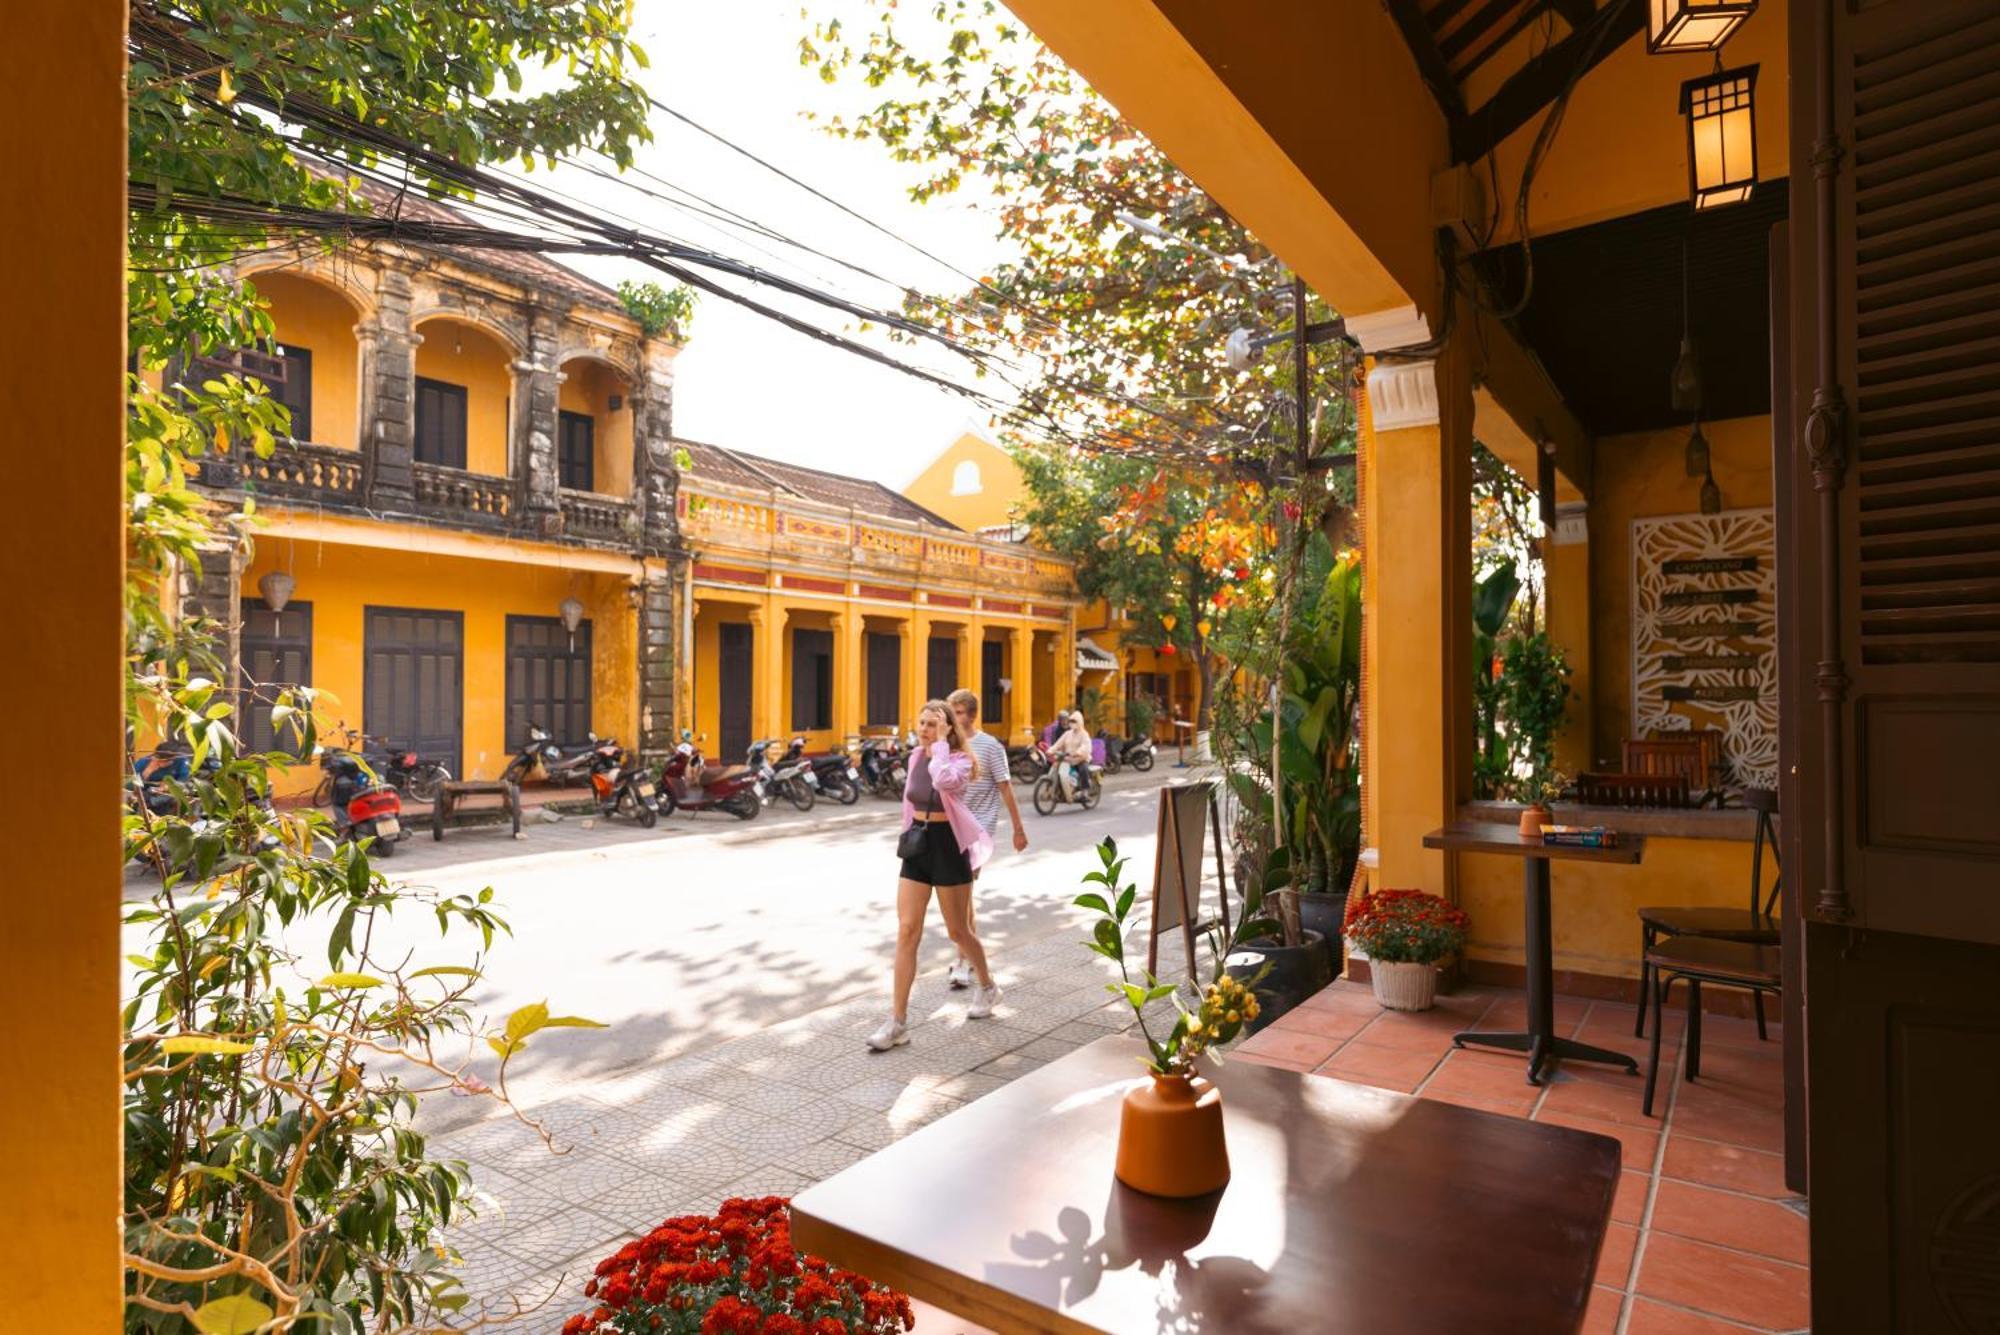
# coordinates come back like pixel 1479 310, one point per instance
pixel 1219 1012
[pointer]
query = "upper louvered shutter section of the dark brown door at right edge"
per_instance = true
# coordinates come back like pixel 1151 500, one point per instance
pixel 1917 351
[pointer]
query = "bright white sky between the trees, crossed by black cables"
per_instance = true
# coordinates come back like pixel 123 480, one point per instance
pixel 749 383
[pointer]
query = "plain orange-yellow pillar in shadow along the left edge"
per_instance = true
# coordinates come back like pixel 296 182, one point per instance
pixel 59 920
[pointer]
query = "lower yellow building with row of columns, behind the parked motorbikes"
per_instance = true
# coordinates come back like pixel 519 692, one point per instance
pixel 831 607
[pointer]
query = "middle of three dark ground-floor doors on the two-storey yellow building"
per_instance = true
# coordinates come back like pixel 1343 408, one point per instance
pixel 413 686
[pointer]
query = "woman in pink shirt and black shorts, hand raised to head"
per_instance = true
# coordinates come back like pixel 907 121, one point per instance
pixel 955 846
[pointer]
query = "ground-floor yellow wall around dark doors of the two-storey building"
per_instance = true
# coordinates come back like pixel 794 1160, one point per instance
pixel 341 583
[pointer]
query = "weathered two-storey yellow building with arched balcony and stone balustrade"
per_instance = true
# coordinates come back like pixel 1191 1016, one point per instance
pixel 473 529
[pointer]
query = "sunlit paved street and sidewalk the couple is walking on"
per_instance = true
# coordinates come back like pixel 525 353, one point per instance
pixel 739 968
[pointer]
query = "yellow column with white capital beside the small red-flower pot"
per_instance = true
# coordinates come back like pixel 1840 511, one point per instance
pixel 1417 449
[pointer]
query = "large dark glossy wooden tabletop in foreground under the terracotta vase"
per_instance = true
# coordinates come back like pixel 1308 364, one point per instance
pixel 1351 1210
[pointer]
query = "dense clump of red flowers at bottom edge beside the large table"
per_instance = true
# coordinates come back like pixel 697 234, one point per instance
pixel 733 1272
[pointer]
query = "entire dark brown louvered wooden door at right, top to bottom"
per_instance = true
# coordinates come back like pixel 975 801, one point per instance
pixel 1893 784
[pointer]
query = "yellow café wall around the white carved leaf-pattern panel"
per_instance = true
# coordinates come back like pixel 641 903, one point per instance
pixel 1639 477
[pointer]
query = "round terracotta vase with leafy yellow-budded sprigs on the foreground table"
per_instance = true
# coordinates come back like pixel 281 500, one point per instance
pixel 1171 1126
